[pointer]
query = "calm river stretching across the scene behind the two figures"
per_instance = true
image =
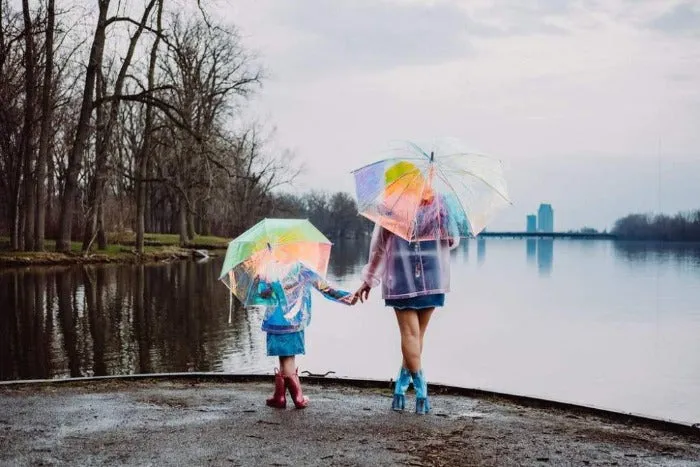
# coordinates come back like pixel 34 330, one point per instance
pixel 603 323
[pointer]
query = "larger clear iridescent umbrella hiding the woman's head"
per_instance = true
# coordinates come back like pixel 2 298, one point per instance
pixel 432 192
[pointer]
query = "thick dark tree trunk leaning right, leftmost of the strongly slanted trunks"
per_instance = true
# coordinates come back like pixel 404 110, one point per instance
pixel 75 158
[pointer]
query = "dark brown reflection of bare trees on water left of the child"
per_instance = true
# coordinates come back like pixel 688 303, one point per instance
pixel 102 320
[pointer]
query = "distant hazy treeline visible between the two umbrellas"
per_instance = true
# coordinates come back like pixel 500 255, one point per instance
pixel 335 214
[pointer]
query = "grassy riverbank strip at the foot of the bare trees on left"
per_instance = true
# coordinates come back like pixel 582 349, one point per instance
pixel 157 247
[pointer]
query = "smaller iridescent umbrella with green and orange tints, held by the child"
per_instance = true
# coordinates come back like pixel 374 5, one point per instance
pixel 268 252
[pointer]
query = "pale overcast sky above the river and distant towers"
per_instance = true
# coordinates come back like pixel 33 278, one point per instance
pixel 593 106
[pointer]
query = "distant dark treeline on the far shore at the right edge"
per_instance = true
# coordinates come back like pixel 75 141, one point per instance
pixel 682 227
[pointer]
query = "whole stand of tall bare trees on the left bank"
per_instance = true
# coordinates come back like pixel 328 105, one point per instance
pixel 127 116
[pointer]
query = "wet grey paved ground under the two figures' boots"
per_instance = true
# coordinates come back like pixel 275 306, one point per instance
pixel 209 422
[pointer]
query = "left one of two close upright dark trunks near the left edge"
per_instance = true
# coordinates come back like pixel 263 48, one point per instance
pixel 28 130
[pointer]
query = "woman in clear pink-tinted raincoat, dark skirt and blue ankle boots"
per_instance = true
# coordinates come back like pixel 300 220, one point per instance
pixel 415 277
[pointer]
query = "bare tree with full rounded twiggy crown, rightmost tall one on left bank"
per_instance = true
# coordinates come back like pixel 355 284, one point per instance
pixel 206 69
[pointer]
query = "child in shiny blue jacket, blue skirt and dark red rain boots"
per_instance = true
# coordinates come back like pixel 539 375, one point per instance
pixel 287 303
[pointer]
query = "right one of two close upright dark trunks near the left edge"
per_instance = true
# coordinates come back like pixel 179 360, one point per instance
pixel 45 134
